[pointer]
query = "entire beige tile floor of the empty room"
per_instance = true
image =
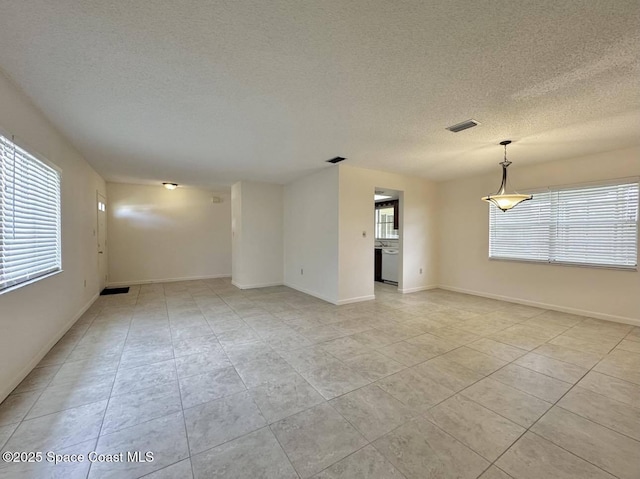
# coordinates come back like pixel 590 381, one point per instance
pixel 271 383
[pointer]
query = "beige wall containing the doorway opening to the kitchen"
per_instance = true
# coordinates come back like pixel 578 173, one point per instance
pixel 418 238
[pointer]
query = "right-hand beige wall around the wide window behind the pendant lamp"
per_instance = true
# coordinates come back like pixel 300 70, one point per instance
pixel 463 226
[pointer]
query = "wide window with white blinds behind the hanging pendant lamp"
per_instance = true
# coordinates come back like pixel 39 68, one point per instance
pixel 589 225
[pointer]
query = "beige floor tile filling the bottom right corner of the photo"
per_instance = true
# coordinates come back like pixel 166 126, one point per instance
pixel 597 444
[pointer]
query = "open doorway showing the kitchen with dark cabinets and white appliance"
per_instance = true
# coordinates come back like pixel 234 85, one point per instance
pixel 387 240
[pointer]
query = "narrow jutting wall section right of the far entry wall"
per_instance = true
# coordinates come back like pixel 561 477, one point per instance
pixel 257 222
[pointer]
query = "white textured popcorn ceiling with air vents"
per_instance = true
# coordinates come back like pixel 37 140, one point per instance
pixel 206 93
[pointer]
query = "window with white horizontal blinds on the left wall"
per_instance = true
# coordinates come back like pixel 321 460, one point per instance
pixel 29 216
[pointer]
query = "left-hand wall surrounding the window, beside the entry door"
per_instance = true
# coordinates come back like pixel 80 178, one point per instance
pixel 35 316
